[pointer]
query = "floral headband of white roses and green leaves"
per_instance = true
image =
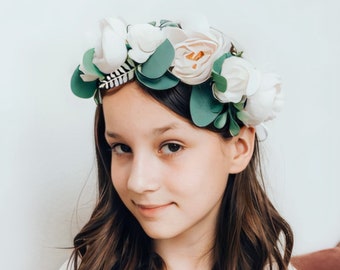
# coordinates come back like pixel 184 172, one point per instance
pixel 226 89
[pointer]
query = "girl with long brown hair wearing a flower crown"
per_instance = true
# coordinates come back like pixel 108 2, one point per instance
pixel 179 181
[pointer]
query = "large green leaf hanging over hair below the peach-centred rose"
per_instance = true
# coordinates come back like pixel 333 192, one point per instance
pixel 204 108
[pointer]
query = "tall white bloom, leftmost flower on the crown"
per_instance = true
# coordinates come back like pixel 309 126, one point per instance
pixel 111 53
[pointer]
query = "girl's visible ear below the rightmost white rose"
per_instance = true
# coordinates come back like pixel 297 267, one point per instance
pixel 243 148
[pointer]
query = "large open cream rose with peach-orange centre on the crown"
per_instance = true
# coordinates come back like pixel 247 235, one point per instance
pixel 196 49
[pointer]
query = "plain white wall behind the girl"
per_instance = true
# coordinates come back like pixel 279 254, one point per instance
pixel 46 179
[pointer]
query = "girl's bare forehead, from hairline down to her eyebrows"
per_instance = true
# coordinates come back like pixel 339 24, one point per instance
pixel 130 112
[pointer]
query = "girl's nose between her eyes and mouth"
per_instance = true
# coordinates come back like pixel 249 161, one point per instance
pixel 144 175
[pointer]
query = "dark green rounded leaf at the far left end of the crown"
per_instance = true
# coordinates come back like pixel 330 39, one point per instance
pixel 80 88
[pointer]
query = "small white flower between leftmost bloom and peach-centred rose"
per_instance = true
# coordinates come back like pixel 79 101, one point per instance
pixel 143 40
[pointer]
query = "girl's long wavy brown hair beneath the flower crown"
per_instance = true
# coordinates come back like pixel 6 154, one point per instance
pixel 250 233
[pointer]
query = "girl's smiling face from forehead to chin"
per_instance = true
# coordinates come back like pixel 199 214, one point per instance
pixel 169 174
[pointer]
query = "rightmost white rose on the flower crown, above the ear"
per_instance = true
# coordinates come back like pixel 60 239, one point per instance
pixel 265 103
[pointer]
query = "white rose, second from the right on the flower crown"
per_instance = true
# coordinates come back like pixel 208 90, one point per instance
pixel 242 80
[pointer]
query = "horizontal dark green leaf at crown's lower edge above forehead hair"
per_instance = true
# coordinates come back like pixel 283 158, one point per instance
pixel 167 81
